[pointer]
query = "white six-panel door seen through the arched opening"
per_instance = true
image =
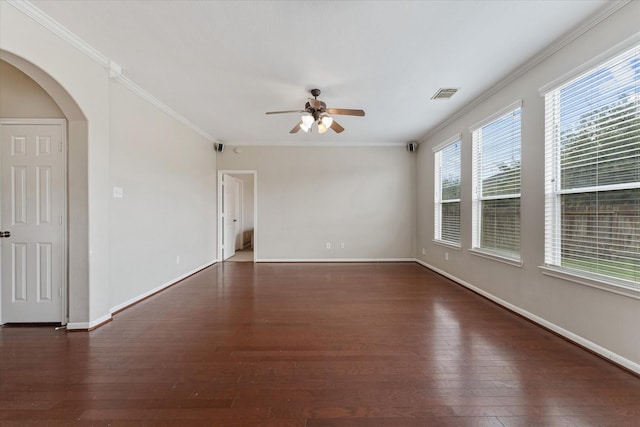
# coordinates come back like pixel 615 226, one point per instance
pixel 32 211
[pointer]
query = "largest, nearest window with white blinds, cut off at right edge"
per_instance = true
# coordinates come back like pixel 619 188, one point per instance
pixel 592 172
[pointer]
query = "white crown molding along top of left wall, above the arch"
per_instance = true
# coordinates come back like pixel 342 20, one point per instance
pixel 114 70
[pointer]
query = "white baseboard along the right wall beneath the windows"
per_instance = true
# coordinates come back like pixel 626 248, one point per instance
pixel 605 353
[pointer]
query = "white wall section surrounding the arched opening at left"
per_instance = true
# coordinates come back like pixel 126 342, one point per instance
pixel 79 86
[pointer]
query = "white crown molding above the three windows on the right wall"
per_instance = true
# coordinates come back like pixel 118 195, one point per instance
pixel 530 64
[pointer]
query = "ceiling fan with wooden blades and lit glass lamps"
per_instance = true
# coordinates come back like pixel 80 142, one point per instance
pixel 316 111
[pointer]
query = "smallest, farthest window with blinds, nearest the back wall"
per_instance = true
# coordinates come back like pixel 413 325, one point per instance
pixel 447 192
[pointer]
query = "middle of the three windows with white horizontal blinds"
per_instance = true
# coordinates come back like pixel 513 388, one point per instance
pixel 496 184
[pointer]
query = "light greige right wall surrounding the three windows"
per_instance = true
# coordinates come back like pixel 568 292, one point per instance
pixel 602 320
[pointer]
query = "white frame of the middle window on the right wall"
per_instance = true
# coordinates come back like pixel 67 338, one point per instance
pixel 477 198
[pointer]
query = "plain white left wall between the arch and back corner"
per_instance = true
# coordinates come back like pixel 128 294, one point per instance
pixel 168 176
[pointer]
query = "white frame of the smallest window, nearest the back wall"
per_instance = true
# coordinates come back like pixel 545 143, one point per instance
pixel 438 202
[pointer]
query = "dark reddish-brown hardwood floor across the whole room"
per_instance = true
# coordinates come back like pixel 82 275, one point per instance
pixel 310 345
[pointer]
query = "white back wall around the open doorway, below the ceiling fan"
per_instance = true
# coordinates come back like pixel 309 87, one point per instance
pixel 308 196
